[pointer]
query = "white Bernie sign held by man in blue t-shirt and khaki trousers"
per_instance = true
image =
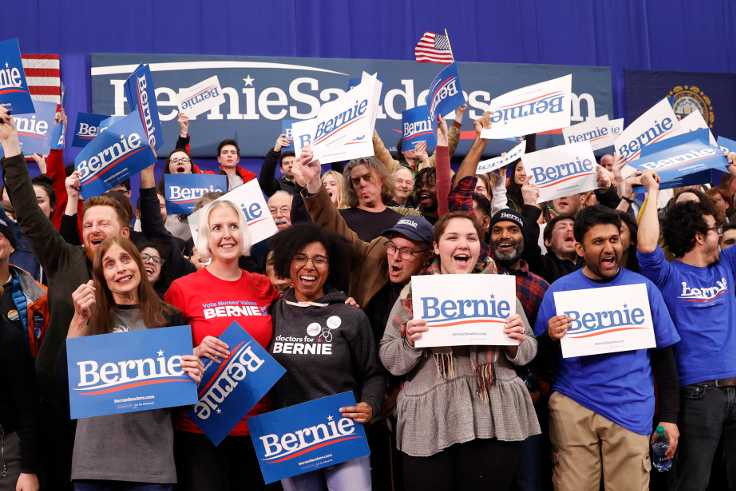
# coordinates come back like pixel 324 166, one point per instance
pixel 606 320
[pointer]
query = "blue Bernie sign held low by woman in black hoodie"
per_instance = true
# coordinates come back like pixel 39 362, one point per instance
pixel 306 437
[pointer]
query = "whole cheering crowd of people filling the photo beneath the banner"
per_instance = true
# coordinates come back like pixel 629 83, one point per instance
pixel 350 238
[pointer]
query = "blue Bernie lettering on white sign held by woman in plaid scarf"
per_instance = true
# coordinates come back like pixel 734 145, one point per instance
pixel 447 312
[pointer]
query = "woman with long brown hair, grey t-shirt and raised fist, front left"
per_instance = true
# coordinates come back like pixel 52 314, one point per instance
pixel 128 450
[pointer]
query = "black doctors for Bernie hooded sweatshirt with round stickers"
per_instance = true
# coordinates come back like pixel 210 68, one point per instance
pixel 327 347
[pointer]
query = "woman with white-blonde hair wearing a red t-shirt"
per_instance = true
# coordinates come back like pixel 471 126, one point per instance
pixel 211 299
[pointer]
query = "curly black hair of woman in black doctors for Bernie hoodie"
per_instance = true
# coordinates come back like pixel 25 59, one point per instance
pixel 289 242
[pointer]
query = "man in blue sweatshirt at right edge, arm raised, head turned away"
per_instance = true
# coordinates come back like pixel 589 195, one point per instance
pixel 698 289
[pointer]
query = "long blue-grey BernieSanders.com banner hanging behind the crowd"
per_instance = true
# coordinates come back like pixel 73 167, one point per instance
pixel 260 92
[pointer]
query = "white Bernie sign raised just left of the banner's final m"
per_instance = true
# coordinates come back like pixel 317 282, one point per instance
pixel 532 109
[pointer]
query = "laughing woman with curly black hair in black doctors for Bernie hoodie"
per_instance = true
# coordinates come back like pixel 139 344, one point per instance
pixel 326 346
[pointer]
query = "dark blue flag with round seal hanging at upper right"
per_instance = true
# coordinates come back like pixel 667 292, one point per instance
pixel 713 94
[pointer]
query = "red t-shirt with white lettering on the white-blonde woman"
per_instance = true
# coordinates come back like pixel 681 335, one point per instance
pixel 210 305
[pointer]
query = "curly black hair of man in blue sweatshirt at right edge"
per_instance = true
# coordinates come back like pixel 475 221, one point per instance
pixel 682 221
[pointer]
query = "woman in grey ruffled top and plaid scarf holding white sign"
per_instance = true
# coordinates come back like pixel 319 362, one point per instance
pixel 462 412
